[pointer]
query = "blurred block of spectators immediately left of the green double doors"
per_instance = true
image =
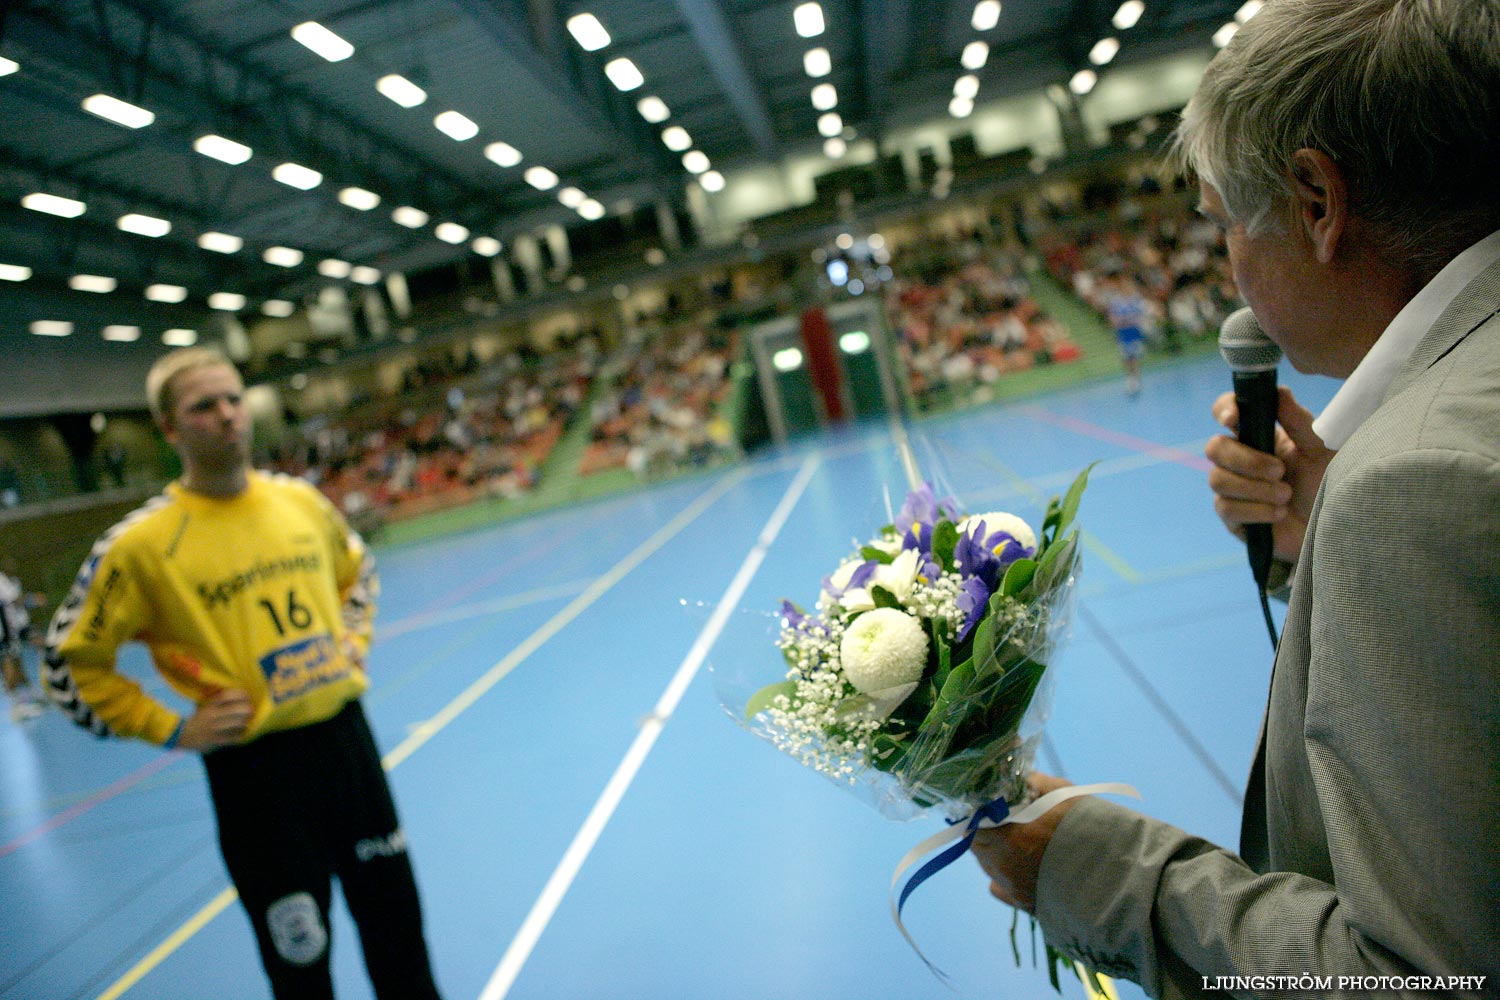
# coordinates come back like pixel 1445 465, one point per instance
pixel 659 406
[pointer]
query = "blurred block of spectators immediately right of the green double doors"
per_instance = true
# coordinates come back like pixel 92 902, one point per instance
pixel 967 317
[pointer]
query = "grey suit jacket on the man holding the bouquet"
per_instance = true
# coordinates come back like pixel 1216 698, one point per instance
pixel 1372 830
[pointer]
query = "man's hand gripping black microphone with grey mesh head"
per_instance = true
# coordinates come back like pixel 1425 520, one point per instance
pixel 1267 478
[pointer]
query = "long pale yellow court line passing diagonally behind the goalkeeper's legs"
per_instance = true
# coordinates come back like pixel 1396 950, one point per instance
pixel 430 729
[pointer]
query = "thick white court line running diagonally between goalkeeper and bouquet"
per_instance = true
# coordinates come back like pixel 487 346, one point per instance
pixel 577 854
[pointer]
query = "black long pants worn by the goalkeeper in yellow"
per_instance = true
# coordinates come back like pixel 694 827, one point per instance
pixel 296 810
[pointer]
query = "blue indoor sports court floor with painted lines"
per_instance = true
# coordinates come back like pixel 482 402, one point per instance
pixel 586 819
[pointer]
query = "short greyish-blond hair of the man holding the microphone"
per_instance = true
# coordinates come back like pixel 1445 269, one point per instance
pixel 1403 95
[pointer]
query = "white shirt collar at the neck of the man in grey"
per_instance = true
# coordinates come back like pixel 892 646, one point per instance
pixel 1366 388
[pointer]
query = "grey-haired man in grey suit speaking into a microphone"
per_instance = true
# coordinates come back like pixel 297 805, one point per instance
pixel 1351 149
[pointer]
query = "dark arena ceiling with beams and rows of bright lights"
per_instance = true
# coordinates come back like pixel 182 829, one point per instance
pixel 733 74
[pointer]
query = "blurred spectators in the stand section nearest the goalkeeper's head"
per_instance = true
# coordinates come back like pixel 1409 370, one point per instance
pixel 460 440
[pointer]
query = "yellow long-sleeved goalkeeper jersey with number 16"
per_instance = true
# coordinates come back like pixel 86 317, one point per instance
pixel 269 593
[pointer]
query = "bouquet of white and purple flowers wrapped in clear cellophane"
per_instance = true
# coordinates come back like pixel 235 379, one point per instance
pixel 923 669
